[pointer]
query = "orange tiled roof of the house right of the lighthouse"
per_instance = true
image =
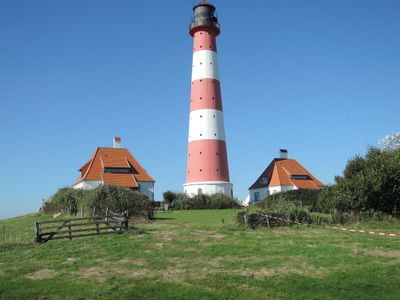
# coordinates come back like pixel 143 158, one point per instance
pixel 279 173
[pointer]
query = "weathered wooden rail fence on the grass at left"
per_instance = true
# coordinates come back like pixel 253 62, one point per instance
pixel 79 227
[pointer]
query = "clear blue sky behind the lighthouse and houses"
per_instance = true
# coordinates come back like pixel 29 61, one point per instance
pixel 320 78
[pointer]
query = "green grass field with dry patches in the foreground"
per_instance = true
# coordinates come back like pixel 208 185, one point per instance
pixel 200 254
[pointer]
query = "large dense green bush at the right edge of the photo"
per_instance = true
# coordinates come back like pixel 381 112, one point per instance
pixel 368 183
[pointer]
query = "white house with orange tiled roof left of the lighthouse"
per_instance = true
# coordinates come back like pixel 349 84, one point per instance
pixel 115 166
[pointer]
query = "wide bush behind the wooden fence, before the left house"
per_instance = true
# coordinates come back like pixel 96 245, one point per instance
pixel 116 198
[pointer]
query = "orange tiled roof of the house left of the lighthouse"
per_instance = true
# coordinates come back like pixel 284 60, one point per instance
pixel 114 158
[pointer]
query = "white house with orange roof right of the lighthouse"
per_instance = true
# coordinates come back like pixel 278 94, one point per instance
pixel 282 174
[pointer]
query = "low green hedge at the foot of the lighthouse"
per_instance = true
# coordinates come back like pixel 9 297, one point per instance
pixel 202 201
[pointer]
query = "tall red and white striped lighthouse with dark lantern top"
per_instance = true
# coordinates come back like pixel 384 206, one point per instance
pixel 207 162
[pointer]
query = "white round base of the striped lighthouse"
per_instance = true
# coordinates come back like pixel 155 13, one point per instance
pixel 208 187
